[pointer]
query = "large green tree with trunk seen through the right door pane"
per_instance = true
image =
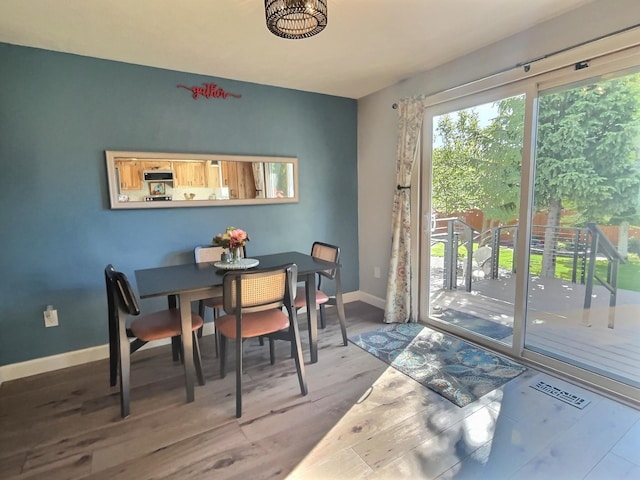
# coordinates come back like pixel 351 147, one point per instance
pixel 587 156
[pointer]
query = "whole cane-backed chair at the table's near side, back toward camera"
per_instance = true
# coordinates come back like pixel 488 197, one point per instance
pixel 253 301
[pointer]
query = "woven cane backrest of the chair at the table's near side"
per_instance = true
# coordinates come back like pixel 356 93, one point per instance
pixel 261 289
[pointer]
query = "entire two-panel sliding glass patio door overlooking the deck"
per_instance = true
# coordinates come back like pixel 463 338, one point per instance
pixel 530 215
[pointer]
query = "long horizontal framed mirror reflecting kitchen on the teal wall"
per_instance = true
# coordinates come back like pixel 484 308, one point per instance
pixel 164 180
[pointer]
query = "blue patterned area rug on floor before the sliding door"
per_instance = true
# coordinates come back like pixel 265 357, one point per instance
pixel 457 370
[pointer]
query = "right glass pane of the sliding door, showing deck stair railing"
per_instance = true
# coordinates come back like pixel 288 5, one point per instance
pixel 584 288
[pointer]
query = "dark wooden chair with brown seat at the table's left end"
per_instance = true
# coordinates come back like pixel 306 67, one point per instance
pixel 123 340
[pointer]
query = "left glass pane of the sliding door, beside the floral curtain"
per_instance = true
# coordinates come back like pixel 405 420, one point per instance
pixel 473 221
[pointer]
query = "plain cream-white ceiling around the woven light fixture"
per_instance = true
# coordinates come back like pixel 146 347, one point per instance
pixel 367 45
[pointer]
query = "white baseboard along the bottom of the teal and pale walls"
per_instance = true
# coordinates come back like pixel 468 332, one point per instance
pixel 78 357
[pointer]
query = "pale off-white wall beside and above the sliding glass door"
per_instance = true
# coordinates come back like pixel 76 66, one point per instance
pixel 377 121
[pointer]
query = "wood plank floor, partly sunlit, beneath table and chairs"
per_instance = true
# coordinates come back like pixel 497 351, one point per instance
pixel 361 419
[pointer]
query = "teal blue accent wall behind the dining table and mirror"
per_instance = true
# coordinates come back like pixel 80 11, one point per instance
pixel 60 112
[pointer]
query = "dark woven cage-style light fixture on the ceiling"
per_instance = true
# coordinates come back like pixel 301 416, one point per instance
pixel 295 19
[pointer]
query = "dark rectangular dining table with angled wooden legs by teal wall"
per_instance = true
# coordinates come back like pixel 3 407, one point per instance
pixel 195 281
